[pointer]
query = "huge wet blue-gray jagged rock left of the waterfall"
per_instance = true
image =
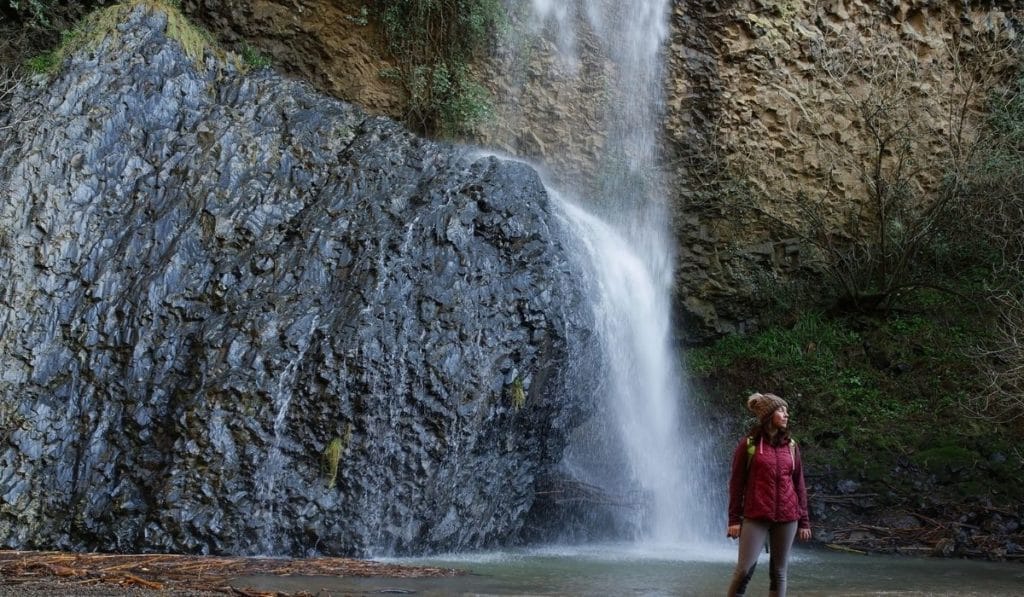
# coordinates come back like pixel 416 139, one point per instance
pixel 240 317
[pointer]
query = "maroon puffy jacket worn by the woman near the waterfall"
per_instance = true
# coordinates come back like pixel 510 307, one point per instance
pixel 772 489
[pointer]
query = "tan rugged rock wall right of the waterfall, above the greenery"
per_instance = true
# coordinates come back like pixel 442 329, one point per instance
pixel 769 134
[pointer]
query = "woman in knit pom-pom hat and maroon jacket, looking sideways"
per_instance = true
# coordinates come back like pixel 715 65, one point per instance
pixel 767 496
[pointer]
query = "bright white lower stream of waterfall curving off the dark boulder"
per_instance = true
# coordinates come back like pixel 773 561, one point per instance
pixel 632 313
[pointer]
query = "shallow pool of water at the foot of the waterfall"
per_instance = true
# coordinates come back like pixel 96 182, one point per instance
pixel 615 570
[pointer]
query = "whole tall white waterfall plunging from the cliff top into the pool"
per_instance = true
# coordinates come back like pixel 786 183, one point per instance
pixel 635 449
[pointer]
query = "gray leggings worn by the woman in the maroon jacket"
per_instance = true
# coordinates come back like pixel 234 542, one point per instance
pixel 752 541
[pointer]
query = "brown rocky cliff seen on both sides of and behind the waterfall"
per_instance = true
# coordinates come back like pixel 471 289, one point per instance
pixel 762 122
